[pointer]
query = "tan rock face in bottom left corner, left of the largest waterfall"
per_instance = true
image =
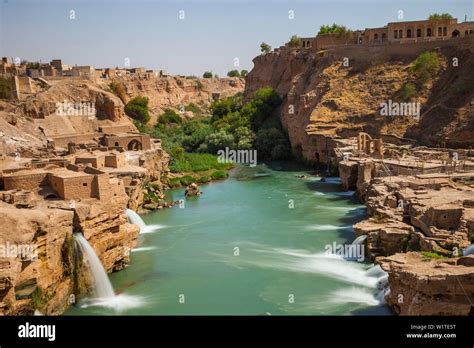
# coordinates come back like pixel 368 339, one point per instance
pixel 45 282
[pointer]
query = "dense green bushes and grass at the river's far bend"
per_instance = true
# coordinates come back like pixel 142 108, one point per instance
pixel 193 144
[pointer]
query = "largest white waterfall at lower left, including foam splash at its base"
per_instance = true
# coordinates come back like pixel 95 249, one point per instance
pixel 103 290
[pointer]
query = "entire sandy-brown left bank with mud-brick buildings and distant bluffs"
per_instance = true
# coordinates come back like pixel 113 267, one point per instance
pixel 62 174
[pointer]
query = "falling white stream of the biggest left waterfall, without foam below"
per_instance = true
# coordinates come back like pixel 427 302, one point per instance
pixel 102 287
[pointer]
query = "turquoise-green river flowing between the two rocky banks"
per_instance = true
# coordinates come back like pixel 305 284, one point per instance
pixel 252 244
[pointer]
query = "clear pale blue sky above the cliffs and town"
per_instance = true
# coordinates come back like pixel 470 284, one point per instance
pixel 186 37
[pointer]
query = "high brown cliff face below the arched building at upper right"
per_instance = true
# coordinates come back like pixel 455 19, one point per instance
pixel 325 98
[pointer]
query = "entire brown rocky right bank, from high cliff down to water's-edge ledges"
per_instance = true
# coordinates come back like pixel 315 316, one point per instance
pixel 415 174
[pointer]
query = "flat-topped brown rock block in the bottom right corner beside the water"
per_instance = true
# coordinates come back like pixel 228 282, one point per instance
pixel 419 286
